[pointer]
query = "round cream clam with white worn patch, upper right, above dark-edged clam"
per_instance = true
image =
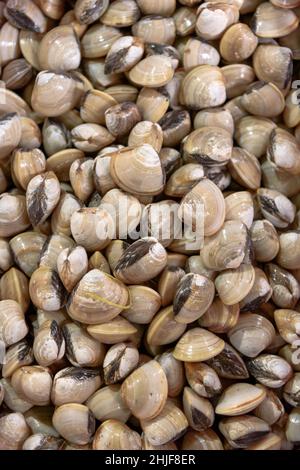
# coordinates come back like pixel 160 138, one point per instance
pixel 203 87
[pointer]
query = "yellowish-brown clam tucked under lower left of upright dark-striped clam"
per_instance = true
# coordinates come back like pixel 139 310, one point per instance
pixel 164 329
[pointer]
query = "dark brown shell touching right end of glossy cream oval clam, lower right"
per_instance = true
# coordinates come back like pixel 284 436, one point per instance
pixel 229 364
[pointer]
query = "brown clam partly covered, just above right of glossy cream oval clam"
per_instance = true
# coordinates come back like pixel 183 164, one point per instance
pixel 219 317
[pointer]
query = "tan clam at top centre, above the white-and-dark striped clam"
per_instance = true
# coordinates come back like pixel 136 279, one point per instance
pixel 154 28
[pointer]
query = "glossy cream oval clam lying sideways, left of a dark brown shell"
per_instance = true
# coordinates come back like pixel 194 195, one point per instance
pixel 197 345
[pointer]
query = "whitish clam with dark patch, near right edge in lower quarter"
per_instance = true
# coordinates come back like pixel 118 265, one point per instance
pixel 270 370
